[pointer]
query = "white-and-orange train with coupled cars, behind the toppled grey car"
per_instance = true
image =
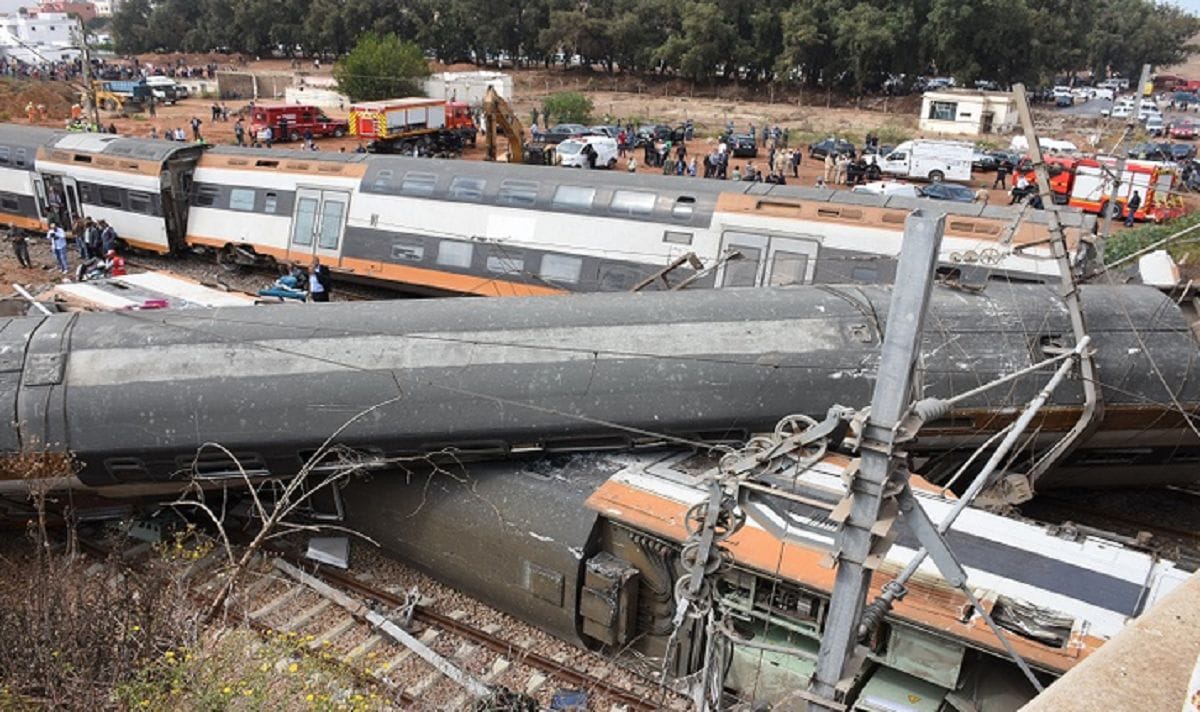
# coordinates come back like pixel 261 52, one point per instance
pixel 469 228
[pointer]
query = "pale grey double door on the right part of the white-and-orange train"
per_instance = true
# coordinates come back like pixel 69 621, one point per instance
pixel 766 260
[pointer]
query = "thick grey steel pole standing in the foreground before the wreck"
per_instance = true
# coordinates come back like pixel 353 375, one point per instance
pixel 873 486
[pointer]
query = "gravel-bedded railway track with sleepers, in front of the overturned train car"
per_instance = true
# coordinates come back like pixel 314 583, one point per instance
pixel 517 669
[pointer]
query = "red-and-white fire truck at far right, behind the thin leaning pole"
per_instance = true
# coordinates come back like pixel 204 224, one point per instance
pixel 1093 192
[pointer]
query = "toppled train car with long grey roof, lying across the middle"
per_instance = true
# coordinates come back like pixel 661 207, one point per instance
pixel 131 397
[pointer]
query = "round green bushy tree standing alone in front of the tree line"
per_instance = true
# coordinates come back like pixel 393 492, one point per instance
pixel 381 68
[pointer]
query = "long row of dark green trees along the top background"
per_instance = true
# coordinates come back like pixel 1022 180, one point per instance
pixel 851 44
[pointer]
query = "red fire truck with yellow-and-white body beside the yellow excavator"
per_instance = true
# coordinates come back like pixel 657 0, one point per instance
pixel 425 127
